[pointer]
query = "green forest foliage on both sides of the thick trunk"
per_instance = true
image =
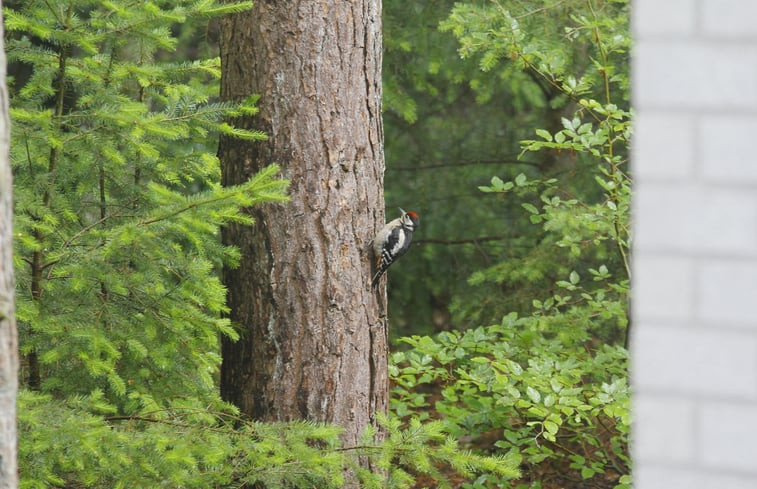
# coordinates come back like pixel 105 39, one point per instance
pixel 506 127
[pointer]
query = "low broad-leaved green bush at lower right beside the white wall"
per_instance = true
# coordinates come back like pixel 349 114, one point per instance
pixel 529 388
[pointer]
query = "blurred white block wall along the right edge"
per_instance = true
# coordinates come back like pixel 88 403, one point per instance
pixel 694 159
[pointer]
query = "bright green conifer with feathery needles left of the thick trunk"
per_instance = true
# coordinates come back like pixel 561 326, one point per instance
pixel 118 202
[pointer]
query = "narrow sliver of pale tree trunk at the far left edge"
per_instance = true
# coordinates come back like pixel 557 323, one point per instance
pixel 8 334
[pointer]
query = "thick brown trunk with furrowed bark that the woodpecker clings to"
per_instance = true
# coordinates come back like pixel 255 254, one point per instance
pixel 314 337
